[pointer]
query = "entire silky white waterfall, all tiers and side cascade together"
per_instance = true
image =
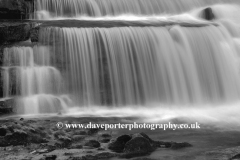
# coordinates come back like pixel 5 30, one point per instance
pixel 119 66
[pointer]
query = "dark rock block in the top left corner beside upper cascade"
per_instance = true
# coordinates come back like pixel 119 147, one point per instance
pixel 16 9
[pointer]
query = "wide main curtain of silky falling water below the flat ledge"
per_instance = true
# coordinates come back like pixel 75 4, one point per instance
pixel 144 65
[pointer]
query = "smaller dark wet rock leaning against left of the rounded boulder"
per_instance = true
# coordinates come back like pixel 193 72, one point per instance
pixel 119 144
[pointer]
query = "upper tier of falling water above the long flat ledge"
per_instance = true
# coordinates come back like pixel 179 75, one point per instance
pixel 50 9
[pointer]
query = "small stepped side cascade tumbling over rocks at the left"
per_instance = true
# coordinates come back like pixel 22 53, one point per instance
pixel 28 74
